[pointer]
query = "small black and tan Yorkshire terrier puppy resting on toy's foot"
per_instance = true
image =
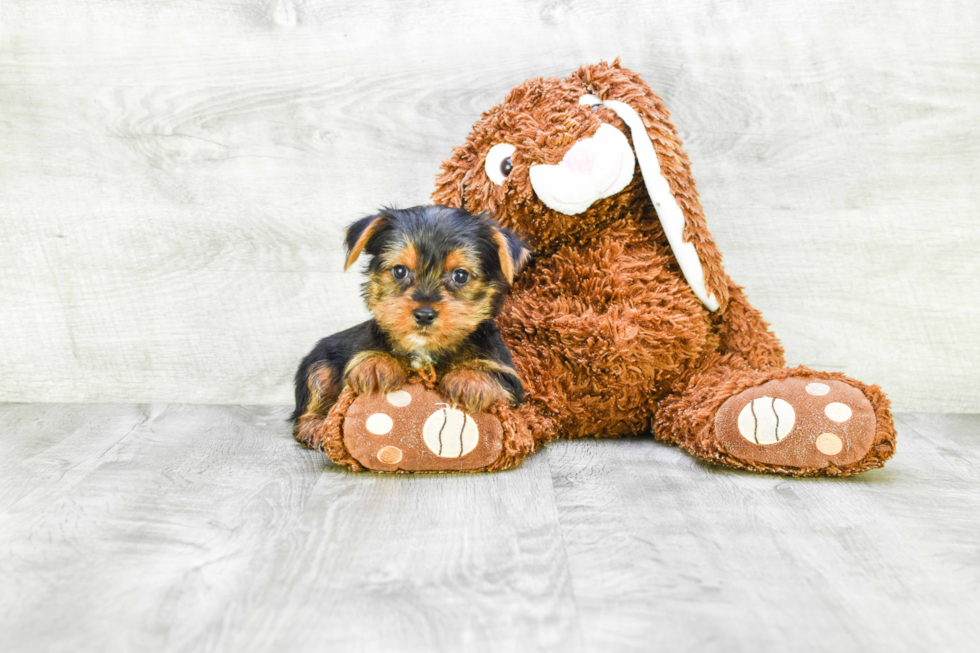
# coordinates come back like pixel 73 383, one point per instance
pixel 436 280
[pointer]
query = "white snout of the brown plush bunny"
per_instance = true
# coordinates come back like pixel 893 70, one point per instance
pixel 593 169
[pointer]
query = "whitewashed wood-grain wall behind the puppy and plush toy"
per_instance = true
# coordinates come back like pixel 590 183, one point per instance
pixel 175 177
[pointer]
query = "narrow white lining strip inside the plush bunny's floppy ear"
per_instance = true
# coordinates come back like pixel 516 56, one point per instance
pixel 670 214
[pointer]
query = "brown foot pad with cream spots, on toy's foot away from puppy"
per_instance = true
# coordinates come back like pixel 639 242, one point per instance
pixel 797 422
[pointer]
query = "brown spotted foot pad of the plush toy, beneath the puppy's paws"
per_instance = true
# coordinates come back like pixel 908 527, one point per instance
pixel 414 429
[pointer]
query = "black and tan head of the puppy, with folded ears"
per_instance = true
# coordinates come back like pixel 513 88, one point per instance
pixel 435 273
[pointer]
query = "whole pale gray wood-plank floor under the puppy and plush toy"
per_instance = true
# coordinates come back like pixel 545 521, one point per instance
pixel 205 528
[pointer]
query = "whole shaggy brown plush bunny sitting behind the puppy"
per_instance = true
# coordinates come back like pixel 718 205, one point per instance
pixel 625 321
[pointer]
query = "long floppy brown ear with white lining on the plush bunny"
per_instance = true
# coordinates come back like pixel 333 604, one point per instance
pixel 667 175
